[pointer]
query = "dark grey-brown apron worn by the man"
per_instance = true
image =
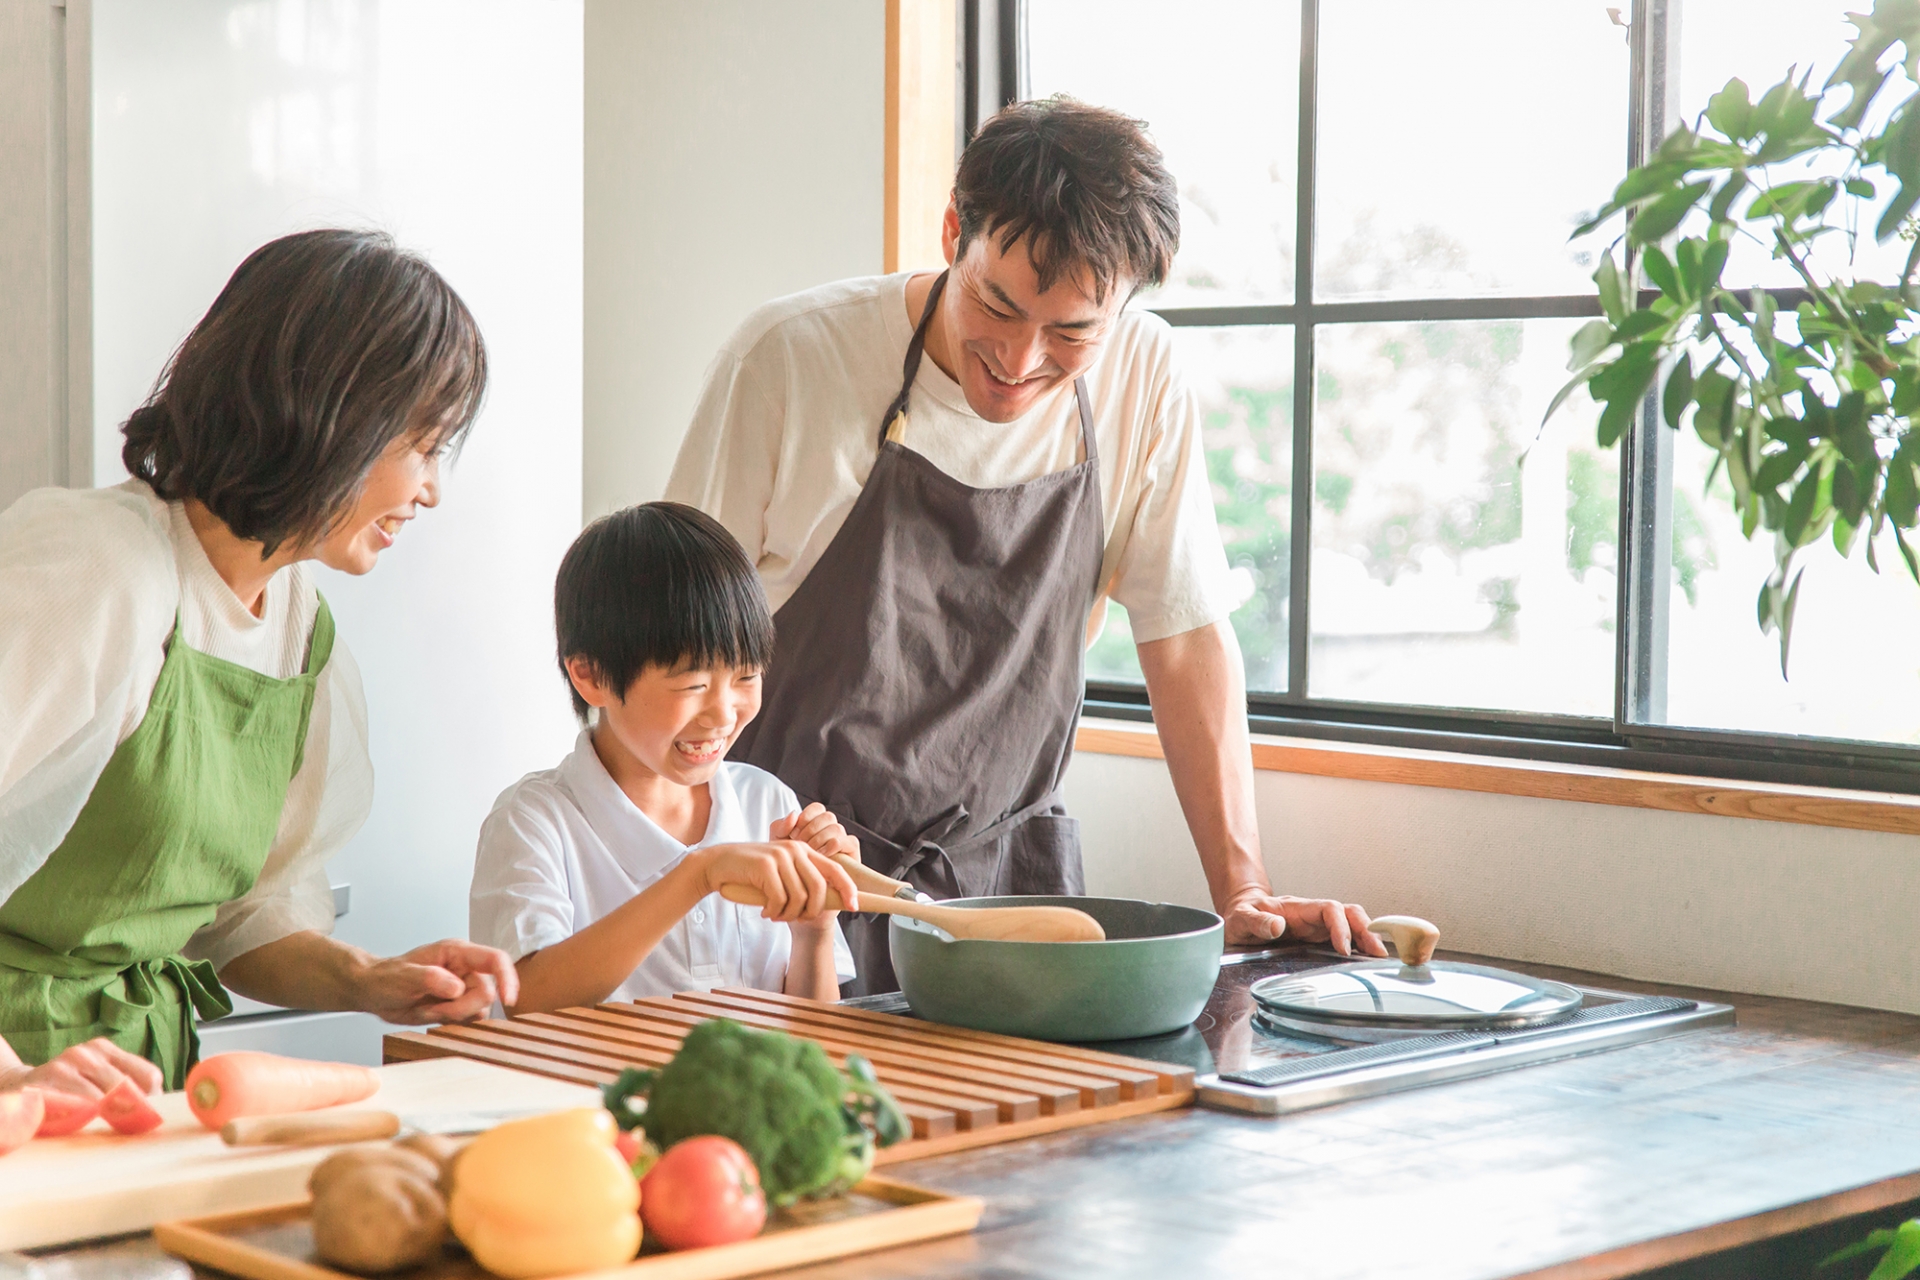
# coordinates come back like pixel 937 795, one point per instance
pixel 928 676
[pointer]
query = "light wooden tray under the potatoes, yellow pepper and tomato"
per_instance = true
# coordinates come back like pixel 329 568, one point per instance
pixel 277 1244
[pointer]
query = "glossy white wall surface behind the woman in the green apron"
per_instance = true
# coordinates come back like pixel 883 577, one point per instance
pixel 456 126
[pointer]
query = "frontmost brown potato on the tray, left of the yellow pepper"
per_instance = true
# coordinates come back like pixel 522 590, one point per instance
pixel 379 1218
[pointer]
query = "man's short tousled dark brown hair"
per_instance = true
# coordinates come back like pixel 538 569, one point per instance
pixel 1086 187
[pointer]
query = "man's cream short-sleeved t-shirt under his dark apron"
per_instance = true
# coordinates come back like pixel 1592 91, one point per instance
pixel 788 431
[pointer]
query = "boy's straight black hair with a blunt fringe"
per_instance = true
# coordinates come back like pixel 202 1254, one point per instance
pixel 658 586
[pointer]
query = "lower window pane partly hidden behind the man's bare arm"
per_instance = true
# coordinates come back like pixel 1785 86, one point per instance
pixel 1245 385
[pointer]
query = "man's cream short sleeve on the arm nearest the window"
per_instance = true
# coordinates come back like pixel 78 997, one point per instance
pixel 1172 573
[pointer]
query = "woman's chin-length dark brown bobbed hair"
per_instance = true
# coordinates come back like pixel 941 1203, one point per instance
pixel 324 350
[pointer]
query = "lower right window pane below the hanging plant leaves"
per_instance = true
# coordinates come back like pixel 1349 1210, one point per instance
pixel 1854 673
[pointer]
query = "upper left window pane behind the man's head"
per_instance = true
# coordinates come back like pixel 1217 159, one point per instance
pixel 1220 87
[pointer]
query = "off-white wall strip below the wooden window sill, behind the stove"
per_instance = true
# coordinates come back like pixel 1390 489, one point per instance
pixel 1727 903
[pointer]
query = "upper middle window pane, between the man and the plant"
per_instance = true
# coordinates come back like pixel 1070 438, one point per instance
pixel 1462 143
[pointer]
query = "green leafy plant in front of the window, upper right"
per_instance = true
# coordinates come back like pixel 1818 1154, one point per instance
pixel 1808 406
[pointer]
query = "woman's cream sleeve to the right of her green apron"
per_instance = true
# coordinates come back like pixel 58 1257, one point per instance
pixel 327 803
